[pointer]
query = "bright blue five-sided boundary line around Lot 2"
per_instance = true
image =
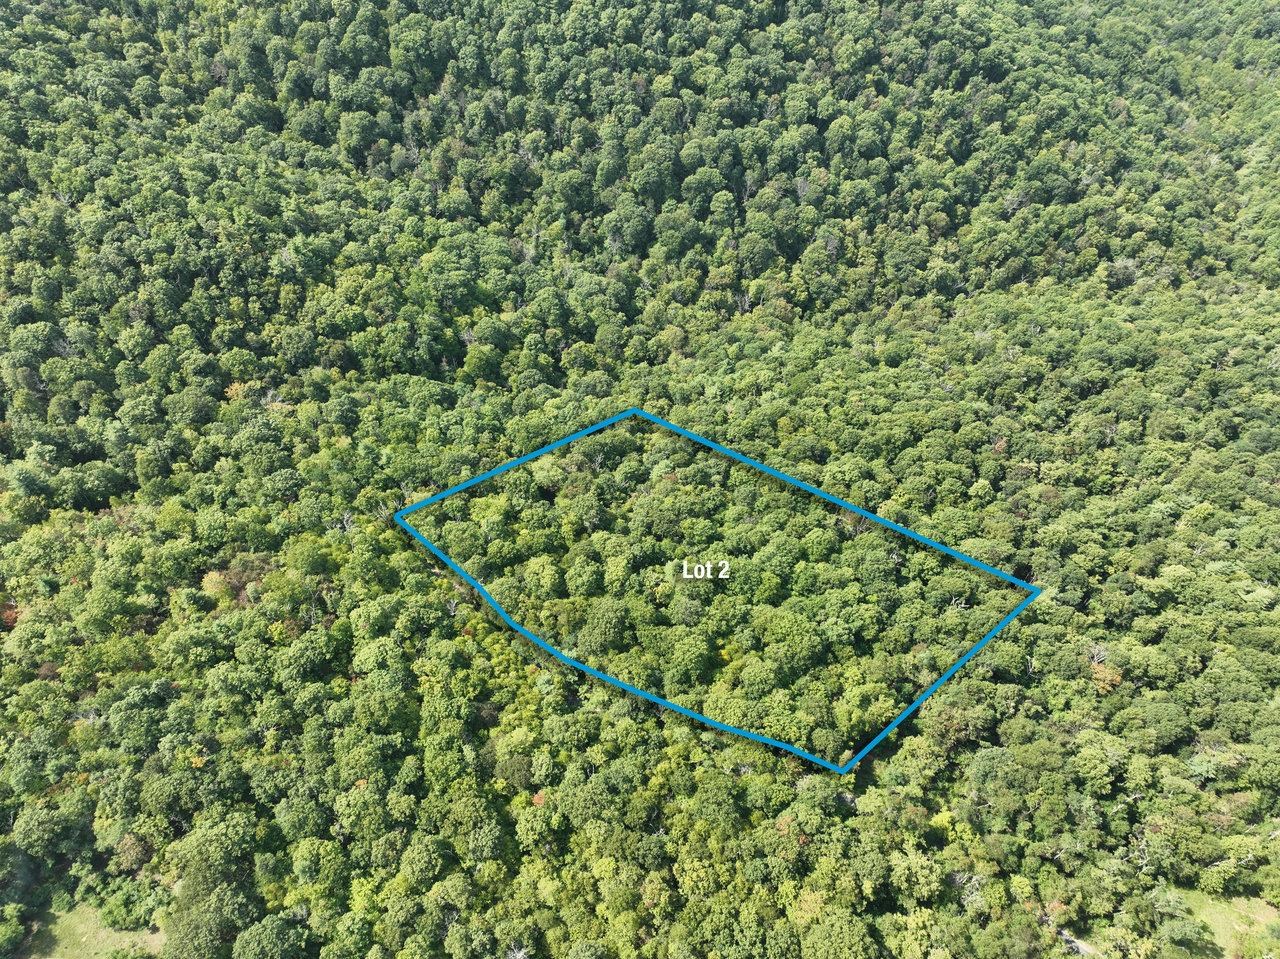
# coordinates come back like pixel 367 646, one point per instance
pixel 1034 592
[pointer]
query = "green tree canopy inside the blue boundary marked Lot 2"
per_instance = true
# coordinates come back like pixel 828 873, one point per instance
pixel 810 624
